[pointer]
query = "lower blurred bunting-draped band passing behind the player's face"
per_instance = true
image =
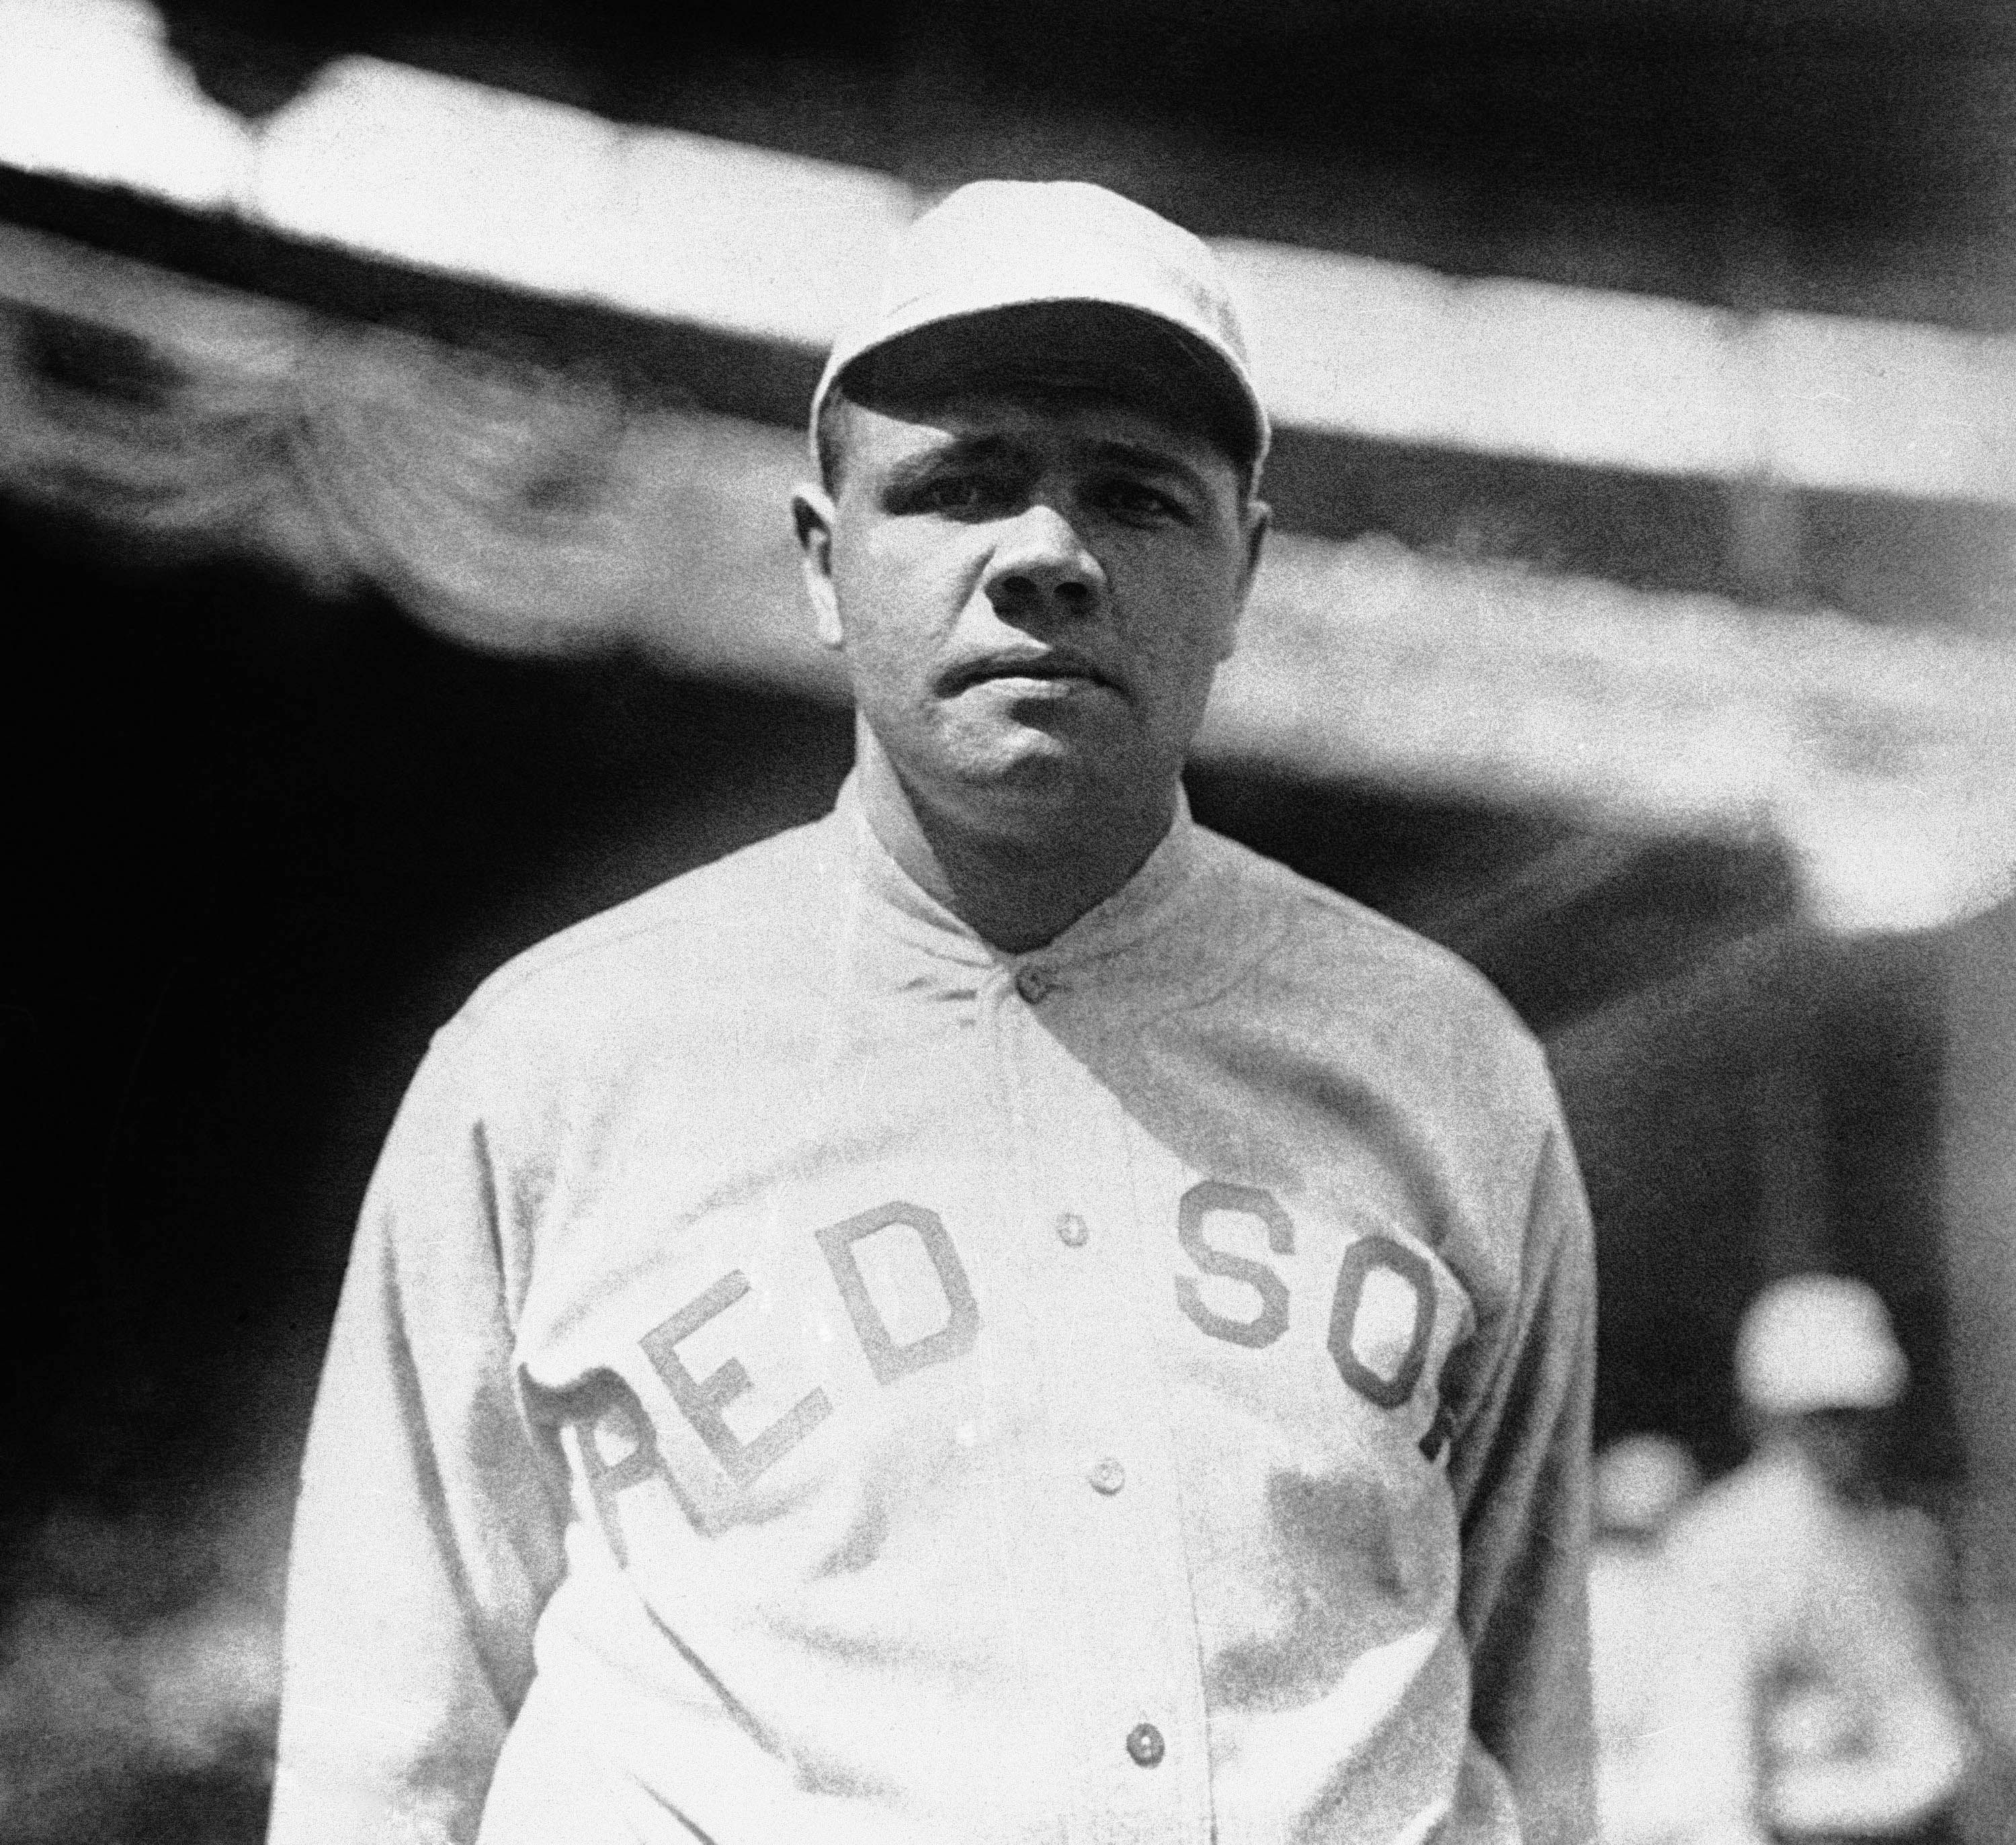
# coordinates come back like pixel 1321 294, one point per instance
pixel 529 511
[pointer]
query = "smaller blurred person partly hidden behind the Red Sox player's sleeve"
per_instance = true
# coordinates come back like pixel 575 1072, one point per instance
pixel 1674 1755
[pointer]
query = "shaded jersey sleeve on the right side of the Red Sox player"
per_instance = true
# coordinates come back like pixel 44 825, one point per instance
pixel 1521 1477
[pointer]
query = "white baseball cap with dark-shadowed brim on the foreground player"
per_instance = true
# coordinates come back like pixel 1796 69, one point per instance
pixel 1065 273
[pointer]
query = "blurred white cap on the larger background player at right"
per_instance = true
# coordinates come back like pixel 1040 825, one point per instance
pixel 1817 1342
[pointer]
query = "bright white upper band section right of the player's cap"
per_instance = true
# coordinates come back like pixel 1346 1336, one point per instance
pixel 1628 382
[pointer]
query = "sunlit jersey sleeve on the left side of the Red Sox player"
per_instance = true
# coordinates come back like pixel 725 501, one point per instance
pixel 428 1527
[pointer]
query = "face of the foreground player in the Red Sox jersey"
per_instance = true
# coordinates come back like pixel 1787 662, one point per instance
pixel 1031 596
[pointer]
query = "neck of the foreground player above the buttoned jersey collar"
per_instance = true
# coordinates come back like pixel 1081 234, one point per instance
pixel 1017 884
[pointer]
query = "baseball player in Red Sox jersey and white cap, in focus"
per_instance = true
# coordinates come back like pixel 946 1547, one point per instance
pixel 999 1316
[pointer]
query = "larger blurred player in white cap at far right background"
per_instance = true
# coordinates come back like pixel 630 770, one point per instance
pixel 1819 1590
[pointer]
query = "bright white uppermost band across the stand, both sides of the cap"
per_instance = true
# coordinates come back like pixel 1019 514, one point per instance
pixel 765 247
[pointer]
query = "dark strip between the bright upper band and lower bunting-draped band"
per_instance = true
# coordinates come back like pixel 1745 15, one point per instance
pixel 1882 558
